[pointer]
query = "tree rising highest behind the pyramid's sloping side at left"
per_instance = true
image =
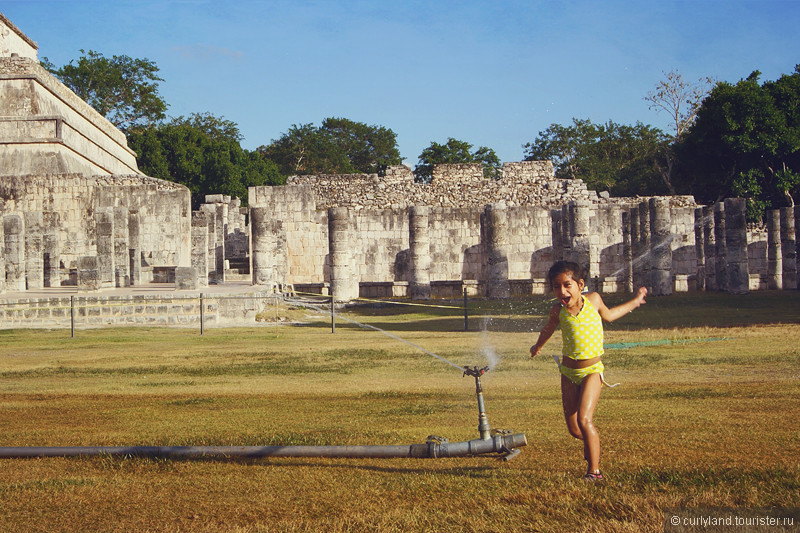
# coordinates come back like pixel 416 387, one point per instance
pixel 122 89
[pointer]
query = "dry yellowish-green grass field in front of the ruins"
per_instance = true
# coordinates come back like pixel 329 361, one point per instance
pixel 710 419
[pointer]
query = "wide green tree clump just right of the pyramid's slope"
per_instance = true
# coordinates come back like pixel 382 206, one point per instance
pixel 203 153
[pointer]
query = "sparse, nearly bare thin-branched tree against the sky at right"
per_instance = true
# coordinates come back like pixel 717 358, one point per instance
pixel 681 100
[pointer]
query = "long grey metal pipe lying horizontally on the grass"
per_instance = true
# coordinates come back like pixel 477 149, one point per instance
pixel 435 448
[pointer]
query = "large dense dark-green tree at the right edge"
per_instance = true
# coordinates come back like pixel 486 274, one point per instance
pixel 746 142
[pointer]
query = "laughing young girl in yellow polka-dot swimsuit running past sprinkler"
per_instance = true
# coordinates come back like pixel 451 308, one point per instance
pixel 581 369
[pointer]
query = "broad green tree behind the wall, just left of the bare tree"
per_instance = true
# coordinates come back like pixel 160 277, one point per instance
pixel 625 160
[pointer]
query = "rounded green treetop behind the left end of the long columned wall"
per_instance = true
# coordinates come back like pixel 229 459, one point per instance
pixel 339 146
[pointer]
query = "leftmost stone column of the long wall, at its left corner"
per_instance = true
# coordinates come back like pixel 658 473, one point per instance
pixel 264 231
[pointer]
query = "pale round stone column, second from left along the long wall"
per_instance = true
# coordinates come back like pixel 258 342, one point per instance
pixel 344 286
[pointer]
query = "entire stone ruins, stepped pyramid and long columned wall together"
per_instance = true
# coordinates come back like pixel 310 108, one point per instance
pixel 75 210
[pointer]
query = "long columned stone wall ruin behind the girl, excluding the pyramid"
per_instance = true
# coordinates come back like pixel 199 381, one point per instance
pixel 384 236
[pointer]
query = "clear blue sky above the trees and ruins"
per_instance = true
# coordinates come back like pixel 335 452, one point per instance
pixel 492 73
